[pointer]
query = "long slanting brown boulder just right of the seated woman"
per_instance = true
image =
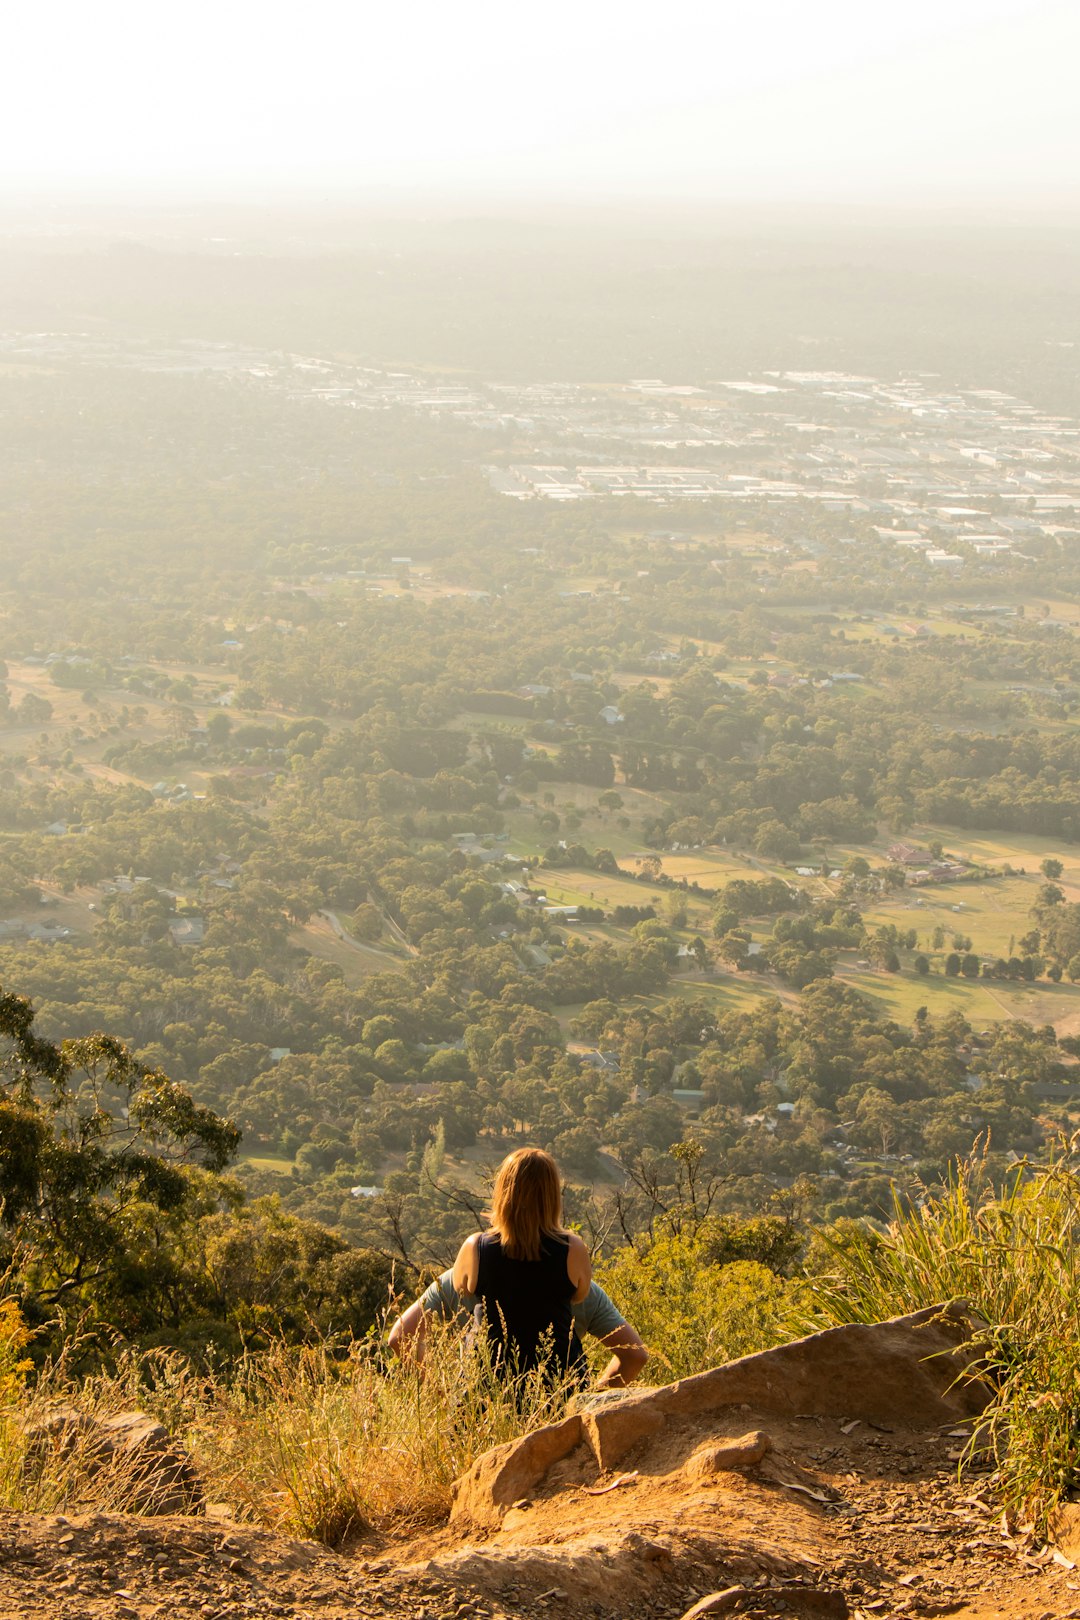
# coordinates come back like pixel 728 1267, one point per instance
pixel 904 1373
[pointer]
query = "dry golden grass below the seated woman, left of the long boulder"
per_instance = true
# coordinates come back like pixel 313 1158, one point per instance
pixel 313 1443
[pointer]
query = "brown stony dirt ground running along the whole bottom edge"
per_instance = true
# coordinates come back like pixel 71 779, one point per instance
pixel 836 1520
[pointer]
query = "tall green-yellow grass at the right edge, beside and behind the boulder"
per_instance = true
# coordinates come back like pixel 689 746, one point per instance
pixel 1013 1255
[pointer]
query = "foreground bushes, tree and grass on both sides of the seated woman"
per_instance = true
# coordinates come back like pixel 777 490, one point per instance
pixel 308 1426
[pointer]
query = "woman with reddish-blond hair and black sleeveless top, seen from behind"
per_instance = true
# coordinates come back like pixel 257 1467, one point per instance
pixel 529 1271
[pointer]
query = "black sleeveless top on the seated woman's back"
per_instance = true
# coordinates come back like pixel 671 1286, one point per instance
pixel 527 1308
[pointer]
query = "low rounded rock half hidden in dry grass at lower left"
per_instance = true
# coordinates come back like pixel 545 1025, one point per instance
pixel 130 1457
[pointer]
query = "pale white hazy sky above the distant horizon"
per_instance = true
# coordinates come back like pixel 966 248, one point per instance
pixel 843 100
